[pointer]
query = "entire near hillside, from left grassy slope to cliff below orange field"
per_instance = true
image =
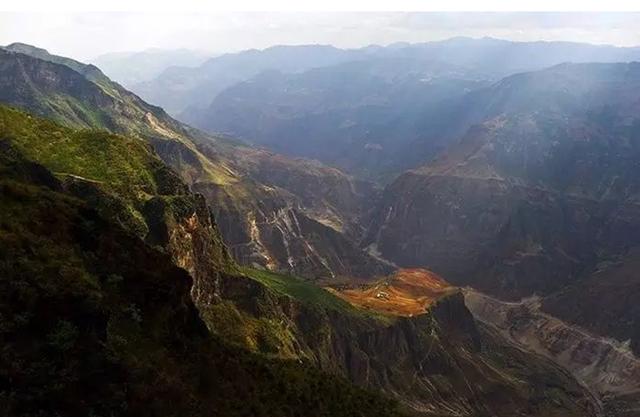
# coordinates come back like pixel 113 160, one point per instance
pixel 105 288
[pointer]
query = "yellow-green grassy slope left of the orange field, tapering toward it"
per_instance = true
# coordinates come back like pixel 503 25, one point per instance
pixel 256 314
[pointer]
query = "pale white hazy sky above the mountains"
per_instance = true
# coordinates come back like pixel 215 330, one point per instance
pixel 86 35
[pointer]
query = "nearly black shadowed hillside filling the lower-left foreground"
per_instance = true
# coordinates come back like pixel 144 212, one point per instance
pixel 95 322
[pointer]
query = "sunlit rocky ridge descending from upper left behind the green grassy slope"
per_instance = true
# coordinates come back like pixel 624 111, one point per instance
pixel 227 173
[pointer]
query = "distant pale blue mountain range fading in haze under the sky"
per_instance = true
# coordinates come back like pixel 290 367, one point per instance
pixel 372 111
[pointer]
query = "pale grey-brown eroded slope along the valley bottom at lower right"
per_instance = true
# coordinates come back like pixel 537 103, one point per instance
pixel 607 367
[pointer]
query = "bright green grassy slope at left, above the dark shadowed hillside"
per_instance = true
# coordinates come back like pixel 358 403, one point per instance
pixel 123 172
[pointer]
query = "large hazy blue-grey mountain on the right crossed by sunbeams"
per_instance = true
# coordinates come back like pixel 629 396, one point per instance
pixel 531 200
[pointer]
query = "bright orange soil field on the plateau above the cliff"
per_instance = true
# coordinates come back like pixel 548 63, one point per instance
pixel 408 292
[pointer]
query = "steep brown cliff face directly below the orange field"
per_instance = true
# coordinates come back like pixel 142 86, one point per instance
pixel 439 363
